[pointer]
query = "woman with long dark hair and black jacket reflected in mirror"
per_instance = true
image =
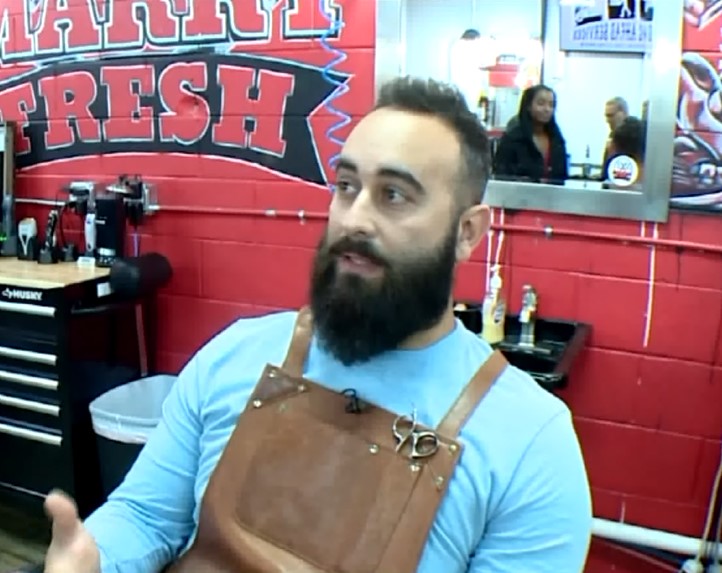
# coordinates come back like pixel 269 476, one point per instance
pixel 533 147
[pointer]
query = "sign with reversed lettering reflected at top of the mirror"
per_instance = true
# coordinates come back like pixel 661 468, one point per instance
pixel 606 26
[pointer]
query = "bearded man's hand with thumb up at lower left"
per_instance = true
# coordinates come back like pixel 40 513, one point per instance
pixel 72 549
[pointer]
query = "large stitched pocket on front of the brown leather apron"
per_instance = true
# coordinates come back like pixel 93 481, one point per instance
pixel 324 493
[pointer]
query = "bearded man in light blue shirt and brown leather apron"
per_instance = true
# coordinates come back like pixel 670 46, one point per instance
pixel 225 487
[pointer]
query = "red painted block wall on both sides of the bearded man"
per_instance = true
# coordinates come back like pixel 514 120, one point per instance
pixel 648 416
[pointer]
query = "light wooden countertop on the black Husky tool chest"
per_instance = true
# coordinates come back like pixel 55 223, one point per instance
pixel 30 274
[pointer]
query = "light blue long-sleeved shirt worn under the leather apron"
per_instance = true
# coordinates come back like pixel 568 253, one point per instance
pixel 518 501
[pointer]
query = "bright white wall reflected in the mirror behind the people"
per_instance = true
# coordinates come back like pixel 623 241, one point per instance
pixel 583 81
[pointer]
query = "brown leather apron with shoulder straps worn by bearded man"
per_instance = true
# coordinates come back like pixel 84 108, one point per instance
pixel 308 485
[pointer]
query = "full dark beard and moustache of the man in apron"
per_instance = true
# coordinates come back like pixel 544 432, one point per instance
pixel 357 318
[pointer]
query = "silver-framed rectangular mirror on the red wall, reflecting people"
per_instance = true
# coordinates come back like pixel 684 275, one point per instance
pixel 578 96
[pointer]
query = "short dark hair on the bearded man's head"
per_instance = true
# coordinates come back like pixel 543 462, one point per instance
pixel 437 99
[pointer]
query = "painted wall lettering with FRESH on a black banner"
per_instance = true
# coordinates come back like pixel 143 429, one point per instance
pixel 236 80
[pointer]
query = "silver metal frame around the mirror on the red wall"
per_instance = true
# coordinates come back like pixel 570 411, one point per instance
pixel 649 204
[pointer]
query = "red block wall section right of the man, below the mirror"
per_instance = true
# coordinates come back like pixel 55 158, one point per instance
pixel 647 416
